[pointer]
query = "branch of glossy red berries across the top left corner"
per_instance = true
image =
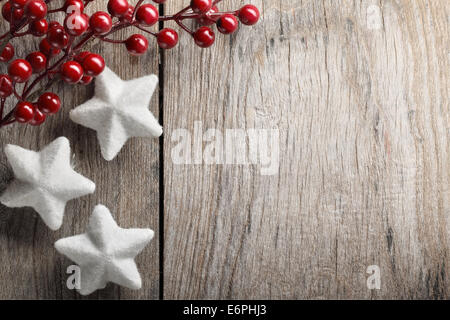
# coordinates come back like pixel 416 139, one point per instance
pixel 62 56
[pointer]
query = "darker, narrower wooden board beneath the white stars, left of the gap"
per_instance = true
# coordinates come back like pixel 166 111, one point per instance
pixel 30 267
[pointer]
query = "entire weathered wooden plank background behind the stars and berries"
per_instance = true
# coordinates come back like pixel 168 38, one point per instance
pixel 361 102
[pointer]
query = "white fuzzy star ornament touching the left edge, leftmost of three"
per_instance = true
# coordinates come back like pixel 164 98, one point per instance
pixel 44 181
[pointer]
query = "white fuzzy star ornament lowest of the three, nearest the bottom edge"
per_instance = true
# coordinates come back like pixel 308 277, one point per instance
pixel 106 252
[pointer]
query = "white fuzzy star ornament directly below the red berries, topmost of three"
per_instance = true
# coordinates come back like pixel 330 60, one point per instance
pixel 119 111
